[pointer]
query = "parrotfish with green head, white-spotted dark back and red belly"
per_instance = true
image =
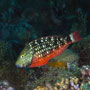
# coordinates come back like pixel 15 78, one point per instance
pixel 38 52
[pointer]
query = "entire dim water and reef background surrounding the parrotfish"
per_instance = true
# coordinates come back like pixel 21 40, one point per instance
pixel 22 21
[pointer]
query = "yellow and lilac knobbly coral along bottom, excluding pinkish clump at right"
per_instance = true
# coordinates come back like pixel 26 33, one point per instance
pixel 71 83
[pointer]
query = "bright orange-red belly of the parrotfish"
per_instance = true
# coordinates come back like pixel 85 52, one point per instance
pixel 36 61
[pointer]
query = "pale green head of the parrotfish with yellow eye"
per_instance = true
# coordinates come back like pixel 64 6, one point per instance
pixel 25 58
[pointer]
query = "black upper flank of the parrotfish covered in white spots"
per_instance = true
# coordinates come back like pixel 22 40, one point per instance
pixel 45 45
